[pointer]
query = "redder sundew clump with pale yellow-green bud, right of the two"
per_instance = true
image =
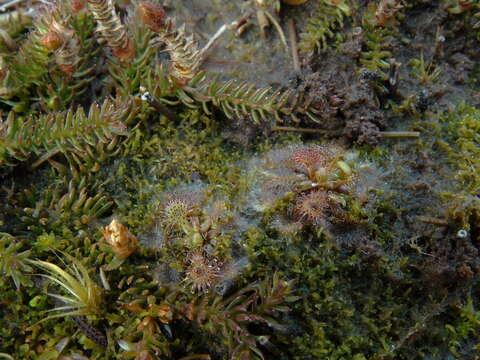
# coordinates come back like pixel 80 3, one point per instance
pixel 307 184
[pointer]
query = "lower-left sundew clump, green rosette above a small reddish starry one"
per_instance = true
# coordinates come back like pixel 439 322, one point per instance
pixel 198 238
